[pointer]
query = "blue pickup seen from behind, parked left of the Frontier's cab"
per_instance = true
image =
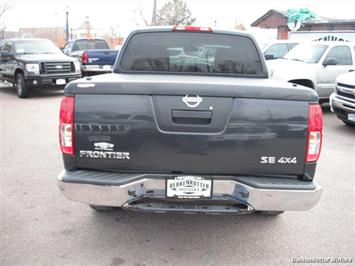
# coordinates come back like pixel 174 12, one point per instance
pixel 95 55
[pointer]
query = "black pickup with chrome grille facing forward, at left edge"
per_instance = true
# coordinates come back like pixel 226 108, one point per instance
pixel 29 63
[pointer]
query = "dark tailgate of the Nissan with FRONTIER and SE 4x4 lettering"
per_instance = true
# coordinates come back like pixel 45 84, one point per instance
pixel 161 133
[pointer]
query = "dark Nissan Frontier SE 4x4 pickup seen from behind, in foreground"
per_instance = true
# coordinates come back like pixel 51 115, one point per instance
pixel 205 134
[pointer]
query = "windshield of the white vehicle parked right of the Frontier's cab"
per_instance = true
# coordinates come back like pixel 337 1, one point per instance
pixel 308 53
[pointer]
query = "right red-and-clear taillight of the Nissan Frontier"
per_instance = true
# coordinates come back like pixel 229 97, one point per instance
pixel 315 126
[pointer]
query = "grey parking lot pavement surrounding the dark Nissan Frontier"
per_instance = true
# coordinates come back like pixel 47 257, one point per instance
pixel 38 226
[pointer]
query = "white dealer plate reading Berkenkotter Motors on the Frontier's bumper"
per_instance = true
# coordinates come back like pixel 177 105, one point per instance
pixel 188 187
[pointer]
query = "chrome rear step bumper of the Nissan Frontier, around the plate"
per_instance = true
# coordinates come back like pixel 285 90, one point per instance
pixel 248 193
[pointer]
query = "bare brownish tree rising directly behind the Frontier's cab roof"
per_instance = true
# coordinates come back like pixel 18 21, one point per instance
pixel 174 12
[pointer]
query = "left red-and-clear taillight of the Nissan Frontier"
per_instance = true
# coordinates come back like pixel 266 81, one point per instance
pixel 66 125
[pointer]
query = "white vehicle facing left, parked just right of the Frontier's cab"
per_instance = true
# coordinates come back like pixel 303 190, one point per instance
pixel 315 65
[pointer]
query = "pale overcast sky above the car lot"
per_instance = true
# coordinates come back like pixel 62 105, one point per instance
pixel 125 14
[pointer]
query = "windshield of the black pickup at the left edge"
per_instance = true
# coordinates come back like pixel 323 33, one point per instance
pixel 36 47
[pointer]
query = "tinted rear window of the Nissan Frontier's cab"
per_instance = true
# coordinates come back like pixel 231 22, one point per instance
pixel 191 52
